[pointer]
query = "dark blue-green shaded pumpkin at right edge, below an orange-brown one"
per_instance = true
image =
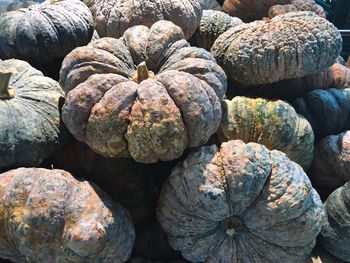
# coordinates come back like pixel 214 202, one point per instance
pixel 326 110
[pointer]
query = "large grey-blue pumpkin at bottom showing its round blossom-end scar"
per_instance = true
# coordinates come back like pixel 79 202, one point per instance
pixel 240 203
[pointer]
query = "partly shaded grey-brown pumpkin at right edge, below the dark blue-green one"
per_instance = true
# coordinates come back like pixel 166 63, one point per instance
pixel 331 165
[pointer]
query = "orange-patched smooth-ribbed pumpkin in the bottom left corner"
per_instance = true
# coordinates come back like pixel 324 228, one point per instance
pixel 48 216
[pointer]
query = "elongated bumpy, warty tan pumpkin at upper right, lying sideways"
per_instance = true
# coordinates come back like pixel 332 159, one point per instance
pixel 263 52
